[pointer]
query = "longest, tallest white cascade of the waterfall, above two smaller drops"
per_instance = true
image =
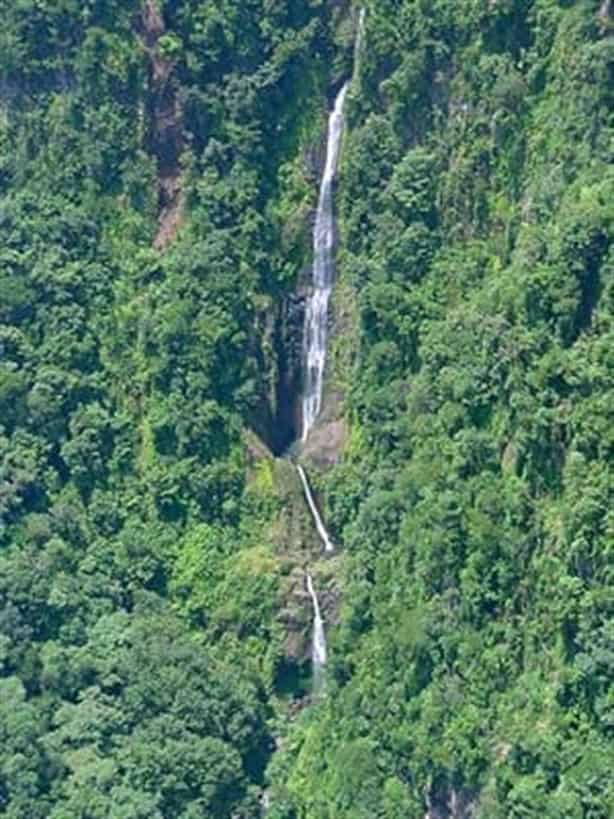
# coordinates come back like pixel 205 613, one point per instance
pixel 316 314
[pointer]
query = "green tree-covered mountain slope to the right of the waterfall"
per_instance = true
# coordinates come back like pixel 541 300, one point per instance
pixel 472 671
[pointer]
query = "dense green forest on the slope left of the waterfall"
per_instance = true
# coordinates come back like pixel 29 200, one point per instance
pixel 138 580
